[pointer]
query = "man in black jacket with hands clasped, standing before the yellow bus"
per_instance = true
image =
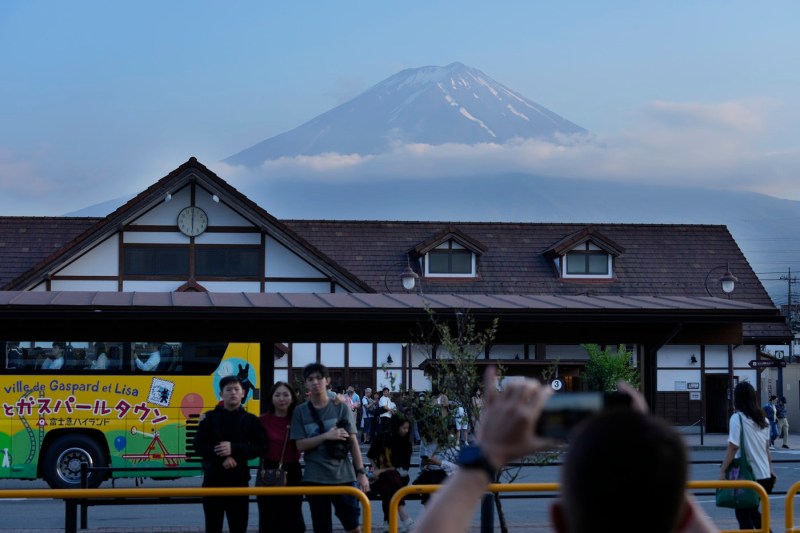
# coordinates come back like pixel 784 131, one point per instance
pixel 226 438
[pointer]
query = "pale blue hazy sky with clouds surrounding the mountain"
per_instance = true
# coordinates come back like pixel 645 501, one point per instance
pixel 100 99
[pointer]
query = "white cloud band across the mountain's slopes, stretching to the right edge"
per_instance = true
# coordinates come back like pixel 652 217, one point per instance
pixel 711 145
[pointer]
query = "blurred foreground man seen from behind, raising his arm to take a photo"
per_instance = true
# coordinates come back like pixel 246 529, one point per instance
pixel 621 455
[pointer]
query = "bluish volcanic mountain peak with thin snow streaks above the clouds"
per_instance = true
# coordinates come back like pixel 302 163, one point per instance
pixel 429 105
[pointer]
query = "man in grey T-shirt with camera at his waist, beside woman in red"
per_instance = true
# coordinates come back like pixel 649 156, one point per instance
pixel 318 443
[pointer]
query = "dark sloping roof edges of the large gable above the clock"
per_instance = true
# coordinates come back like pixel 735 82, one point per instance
pixel 188 172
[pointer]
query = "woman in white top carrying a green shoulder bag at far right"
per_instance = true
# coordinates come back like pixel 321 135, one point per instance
pixel 748 446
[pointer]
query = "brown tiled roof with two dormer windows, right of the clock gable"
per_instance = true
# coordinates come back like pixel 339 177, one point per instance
pixel 658 259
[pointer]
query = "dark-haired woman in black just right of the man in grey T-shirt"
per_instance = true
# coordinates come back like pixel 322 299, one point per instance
pixel 391 458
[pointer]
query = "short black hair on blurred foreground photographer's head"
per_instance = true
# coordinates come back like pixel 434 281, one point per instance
pixel 623 451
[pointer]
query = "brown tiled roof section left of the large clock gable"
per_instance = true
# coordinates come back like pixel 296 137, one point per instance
pixel 26 241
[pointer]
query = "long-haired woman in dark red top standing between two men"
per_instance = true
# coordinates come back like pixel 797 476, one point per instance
pixel 280 464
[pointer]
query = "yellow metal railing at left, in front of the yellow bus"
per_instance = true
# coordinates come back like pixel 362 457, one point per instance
pixel 366 509
